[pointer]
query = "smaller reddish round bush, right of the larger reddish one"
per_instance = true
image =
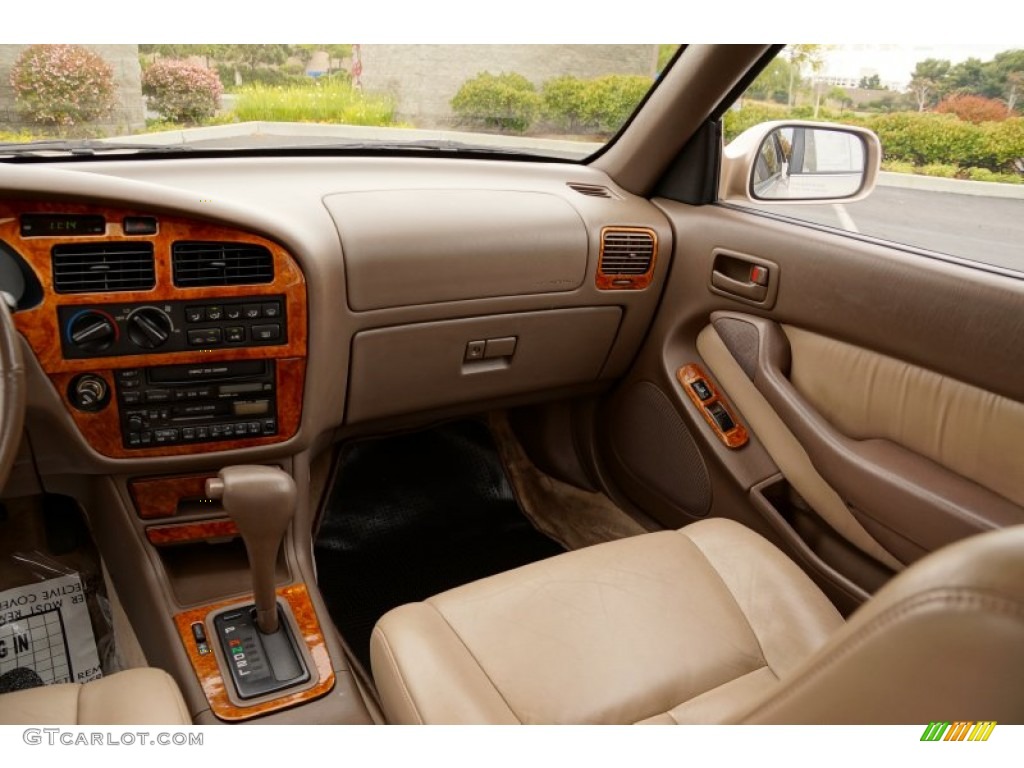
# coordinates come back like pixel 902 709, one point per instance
pixel 181 92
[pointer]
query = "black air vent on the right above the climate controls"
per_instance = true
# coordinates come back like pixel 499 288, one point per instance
pixel 198 265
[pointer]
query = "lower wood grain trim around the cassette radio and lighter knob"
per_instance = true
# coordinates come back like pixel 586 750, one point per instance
pixel 103 430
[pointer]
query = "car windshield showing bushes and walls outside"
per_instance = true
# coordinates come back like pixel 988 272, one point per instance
pixel 550 101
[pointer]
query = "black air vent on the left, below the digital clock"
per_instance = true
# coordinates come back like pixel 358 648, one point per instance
pixel 101 268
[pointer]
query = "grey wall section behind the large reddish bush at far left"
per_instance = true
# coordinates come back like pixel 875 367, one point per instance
pixel 129 114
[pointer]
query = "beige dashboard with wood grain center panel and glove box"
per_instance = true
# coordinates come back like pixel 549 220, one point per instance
pixel 408 289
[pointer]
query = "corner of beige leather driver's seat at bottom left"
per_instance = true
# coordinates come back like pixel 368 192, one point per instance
pixel 144 697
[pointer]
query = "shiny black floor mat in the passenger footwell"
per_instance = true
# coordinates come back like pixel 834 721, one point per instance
pixel 413 516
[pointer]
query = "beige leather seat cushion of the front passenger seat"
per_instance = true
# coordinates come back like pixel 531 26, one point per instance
pixel 688 626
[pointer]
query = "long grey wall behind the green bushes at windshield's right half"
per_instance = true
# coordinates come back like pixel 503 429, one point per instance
pixel 424 78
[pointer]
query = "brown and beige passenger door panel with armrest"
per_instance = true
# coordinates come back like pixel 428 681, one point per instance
pixel 884 389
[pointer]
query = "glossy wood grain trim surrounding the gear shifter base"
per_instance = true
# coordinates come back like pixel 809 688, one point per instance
pixel 212 681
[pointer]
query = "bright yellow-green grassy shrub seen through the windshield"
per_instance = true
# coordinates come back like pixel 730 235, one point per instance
pixel 327 102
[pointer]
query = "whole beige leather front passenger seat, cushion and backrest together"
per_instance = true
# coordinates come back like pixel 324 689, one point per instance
pixel 711 624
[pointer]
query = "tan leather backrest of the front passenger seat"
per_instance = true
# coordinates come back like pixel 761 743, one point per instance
pixel 944 642
